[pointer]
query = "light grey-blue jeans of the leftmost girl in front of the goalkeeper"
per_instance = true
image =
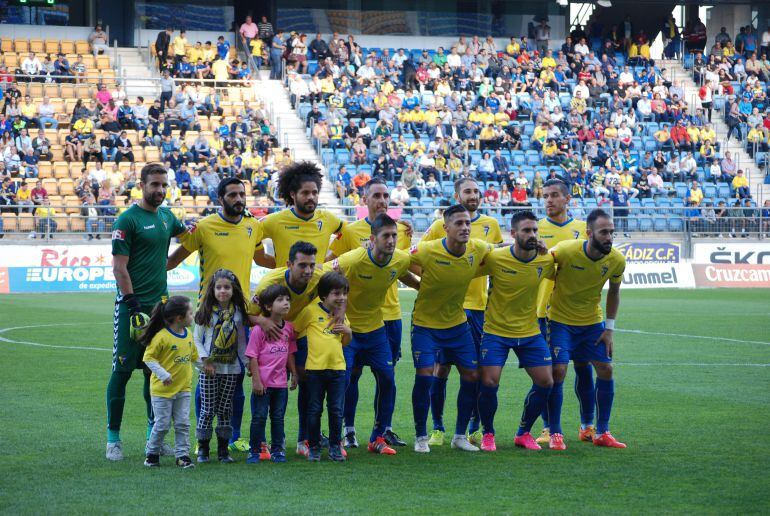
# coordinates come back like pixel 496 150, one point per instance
pixel 166 409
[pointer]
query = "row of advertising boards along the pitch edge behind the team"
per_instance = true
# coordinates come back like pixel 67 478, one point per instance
pixel 81 267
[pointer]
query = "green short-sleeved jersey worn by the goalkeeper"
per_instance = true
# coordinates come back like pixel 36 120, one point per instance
pixel 145 237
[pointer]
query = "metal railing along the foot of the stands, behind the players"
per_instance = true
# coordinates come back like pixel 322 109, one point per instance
pixel 684 223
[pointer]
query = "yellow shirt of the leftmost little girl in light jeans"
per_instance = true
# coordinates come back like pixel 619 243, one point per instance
pixel 175 353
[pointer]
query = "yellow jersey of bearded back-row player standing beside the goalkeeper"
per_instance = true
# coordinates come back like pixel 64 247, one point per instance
pixel 224 245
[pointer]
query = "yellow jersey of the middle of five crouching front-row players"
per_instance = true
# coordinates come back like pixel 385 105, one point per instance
pixel 444 280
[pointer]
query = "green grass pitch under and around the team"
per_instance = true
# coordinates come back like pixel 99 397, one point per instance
pixel 692 387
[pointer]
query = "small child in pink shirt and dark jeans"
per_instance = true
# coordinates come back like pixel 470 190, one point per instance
pixel 268 362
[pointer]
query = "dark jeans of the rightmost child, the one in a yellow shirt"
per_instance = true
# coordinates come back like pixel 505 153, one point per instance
pixel 331 385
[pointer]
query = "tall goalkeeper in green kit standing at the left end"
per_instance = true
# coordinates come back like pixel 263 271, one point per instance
pixel 140 240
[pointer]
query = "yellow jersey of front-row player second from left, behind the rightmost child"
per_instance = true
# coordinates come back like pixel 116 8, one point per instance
pixel 369 285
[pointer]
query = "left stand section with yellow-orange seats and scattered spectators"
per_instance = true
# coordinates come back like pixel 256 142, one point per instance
pixel 73 142
